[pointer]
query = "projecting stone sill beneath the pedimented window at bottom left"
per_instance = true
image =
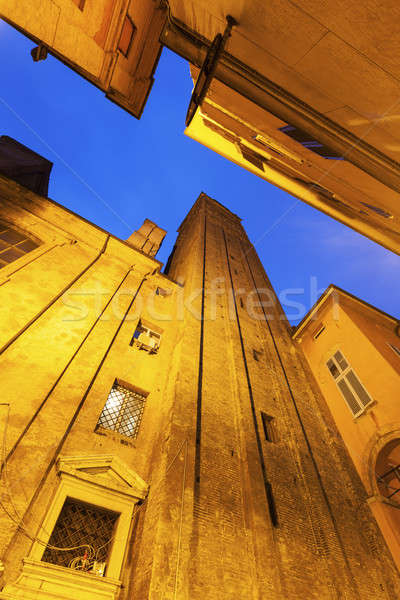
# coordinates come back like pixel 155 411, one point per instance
pixel 44 581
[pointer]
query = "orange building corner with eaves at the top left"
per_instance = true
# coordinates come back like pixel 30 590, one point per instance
pixel 114 44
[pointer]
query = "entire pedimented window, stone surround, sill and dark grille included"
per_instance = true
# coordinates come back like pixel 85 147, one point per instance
pixel 106 487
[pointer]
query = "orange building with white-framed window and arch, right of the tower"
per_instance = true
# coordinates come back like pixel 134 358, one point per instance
pixel 353 350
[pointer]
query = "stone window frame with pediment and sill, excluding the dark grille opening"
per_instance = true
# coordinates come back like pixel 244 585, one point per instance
pixel 103 481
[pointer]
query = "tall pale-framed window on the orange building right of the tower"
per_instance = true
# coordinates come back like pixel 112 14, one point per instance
pixel 348 383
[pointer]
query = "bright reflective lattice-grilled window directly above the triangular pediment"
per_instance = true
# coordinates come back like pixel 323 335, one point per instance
pixel 123 411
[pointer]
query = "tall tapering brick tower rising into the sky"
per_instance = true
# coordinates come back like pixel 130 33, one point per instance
pixel 271 505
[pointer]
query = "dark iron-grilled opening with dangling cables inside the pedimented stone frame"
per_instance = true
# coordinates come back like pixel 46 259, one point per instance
pixel 87 530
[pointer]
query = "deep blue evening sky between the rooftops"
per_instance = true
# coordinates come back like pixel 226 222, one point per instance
pixel 115 171
